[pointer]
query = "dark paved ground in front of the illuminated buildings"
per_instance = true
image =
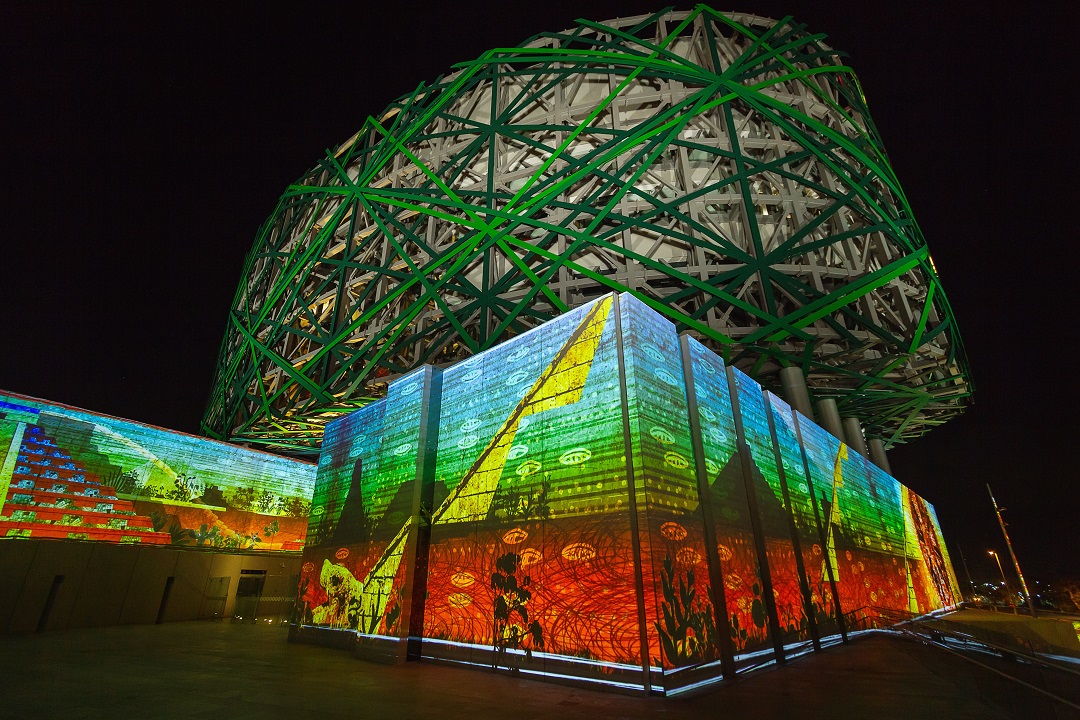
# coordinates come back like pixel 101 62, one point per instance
pixel 190 671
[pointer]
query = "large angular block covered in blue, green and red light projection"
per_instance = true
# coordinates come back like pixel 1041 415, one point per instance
pixel 600 499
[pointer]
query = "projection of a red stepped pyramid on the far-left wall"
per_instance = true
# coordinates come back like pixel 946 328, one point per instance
pixel 75 476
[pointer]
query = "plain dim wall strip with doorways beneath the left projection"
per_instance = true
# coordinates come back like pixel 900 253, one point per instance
pixel 99 585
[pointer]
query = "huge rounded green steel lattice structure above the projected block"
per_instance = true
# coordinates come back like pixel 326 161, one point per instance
pixel 724 169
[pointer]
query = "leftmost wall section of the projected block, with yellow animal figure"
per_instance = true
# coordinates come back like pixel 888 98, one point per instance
pixel 371 512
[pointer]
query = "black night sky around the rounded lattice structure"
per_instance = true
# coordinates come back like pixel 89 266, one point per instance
pixel 144 145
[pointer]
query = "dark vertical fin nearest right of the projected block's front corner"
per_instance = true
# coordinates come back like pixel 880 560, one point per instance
pixel 709 523
